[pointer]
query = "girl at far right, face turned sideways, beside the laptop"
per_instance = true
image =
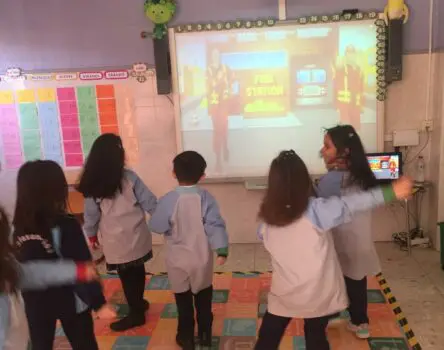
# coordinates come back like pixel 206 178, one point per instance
pixel 349 172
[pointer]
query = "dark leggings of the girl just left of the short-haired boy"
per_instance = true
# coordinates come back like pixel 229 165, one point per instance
pixel 133 284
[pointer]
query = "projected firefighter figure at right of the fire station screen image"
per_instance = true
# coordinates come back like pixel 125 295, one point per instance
pixel 348 86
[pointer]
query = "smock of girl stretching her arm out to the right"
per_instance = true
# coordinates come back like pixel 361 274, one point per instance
pixel 307 280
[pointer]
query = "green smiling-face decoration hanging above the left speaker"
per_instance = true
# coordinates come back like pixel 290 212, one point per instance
pixel 160 12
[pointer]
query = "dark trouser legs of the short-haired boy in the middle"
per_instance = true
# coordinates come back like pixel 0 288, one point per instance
pixel 185 308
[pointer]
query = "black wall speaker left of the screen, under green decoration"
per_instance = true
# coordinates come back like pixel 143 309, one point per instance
pixel 162 62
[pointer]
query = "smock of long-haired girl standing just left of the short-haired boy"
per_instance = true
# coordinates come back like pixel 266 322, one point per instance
pixel 120 222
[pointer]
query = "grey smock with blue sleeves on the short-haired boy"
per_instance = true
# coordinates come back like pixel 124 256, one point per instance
pixel 190 219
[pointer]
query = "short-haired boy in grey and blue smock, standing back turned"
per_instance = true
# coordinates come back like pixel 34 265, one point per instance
pixel 190 219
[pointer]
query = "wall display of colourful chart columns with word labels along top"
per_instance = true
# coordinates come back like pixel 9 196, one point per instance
pixel 58 116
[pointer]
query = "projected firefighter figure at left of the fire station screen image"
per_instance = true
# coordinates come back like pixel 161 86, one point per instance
pixel 219 81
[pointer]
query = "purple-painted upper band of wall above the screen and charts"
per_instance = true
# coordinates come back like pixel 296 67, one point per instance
pixel 54 34
